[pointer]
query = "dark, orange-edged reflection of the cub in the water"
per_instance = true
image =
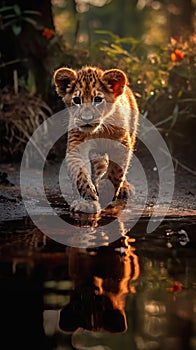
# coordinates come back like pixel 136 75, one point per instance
pixel 102 279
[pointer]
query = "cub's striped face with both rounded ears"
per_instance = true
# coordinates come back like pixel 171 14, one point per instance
pixel 91 93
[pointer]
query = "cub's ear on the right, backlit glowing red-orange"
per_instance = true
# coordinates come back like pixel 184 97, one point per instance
pixel 116 79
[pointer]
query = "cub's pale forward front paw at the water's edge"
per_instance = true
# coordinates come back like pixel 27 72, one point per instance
pixel 84 206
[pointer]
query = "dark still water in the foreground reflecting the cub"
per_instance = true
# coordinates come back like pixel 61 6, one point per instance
pixel 135 293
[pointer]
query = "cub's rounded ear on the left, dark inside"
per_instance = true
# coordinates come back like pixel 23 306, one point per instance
pixel 63 78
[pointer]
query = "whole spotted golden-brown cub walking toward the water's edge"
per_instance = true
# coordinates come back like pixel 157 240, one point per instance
pixel 102 131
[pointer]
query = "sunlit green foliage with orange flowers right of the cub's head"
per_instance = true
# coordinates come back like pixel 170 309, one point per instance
pixel 163 78
